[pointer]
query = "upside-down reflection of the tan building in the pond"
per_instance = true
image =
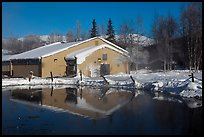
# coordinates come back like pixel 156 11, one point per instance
pixel 86 102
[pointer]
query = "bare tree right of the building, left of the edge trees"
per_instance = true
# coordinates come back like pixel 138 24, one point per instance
pixel 164 30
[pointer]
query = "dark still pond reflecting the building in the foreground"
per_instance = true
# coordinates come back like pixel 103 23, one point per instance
pixel 105 111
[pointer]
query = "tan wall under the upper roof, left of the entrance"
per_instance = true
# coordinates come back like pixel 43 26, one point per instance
pixel 58 68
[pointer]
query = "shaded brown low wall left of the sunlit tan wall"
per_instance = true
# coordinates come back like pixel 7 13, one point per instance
pixel 24 70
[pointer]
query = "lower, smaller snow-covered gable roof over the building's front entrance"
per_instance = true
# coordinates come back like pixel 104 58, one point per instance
pixel 83 53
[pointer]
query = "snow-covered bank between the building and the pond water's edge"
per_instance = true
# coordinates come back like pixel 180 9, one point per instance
pixel 177 82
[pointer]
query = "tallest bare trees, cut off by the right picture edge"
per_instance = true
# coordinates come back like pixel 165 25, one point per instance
pixel 191 27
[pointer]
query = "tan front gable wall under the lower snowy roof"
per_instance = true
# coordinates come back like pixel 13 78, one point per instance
pixel 91 66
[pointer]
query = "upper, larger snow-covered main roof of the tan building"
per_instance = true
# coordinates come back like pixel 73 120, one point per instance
pixel 54 48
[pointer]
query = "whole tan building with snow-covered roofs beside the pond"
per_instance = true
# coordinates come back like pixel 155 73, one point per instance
pixel 93 57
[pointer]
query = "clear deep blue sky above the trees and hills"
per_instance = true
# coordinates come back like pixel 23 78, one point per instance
pixel 23 18
